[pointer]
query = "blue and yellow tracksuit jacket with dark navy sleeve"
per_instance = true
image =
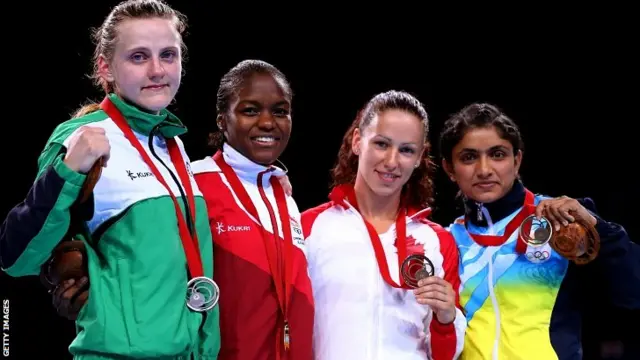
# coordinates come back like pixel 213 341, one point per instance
pixel 530 309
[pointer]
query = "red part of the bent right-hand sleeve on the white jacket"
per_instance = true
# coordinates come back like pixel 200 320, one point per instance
pixel 444 338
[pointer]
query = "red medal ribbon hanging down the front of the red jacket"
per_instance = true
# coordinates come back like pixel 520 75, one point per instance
pixel 279 261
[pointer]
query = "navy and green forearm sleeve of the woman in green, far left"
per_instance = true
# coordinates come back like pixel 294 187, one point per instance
pixel 34 227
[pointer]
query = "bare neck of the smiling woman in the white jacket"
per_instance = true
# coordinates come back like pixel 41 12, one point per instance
pixel 375 207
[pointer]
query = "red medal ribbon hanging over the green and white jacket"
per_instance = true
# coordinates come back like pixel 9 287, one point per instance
pixel 189 239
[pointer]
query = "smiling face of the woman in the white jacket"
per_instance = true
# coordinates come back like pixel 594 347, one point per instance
pixel 389 149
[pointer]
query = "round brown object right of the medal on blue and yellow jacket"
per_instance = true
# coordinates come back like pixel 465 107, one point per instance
pixel 579 242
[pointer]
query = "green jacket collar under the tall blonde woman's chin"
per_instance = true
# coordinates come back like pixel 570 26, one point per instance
pixel 143 122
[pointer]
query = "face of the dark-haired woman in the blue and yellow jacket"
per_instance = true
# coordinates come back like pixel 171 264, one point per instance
pixel 483 164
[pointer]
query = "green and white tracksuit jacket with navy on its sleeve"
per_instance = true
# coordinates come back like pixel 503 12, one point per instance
pixel 136 306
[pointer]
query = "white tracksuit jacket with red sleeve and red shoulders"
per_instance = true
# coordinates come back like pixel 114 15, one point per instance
pixel 357 314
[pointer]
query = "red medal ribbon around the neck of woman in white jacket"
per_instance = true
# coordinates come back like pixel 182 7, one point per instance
pixel 400 242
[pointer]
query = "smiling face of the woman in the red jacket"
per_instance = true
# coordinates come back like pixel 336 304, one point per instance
pixel 258 124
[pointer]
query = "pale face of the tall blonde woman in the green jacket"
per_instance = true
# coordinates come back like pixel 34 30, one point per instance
pixel 146 68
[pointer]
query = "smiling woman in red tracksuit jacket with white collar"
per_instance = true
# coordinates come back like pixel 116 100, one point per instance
pixel 266 304
